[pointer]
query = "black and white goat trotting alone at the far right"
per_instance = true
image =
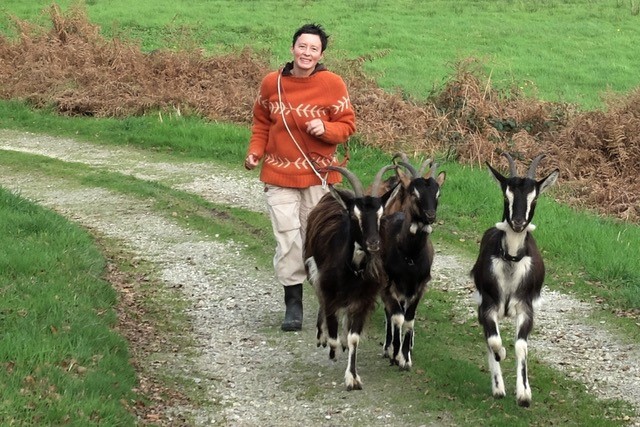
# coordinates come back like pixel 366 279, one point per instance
pixel 509 273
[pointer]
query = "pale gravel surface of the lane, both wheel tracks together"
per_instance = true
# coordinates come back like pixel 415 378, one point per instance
pixel 240 359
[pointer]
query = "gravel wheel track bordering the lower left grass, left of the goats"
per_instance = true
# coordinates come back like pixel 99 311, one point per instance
pixel 241 363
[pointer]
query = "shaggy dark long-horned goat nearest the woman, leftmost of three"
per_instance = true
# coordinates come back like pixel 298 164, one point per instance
pixel 342 260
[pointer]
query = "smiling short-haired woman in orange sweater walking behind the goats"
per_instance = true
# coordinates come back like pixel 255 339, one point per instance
pixel 301 115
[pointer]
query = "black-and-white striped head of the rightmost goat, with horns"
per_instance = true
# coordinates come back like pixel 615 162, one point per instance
pixel 521 193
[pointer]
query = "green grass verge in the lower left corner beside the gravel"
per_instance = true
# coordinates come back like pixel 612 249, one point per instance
pixel 62 361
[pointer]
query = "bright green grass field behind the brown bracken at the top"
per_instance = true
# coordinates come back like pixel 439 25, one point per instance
pixel 556 50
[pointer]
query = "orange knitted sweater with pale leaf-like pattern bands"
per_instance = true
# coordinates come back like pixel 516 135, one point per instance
pixel 321 95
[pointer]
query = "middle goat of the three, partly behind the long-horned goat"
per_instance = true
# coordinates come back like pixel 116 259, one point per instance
pixel 407 254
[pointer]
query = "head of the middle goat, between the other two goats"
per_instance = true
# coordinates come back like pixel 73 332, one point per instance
pixel 419 190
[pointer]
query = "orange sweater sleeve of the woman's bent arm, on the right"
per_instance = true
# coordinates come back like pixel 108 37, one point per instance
pixel 342 121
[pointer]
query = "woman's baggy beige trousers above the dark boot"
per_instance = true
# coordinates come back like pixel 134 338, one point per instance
pixel 289 209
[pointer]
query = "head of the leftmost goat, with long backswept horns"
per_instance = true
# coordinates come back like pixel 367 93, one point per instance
pixel 365 211
